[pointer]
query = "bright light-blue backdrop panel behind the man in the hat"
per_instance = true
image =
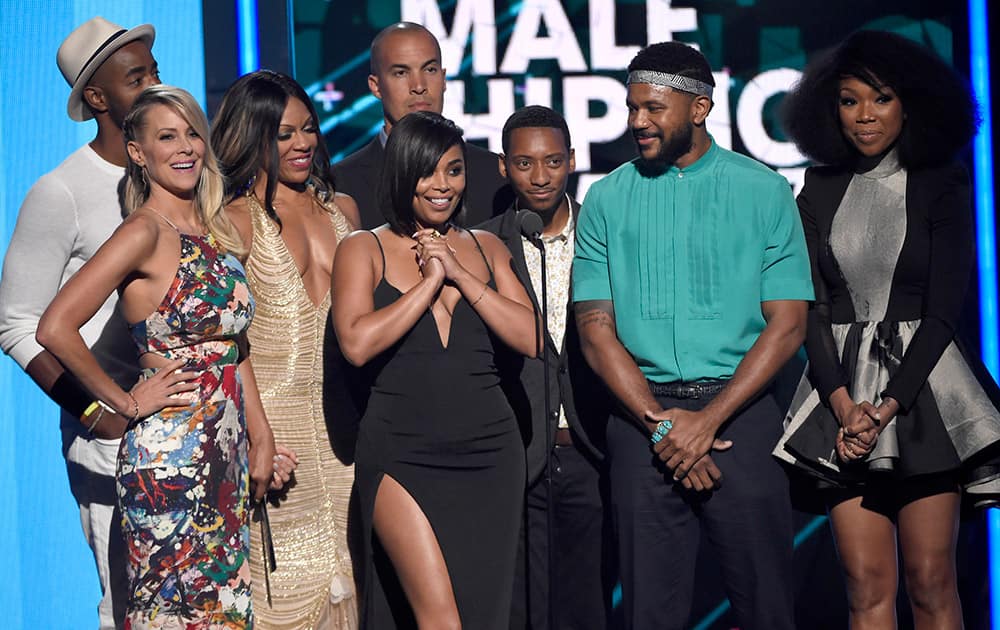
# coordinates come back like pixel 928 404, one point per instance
pixel 48 576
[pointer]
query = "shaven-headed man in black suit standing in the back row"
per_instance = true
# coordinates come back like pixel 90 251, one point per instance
pixel 406 75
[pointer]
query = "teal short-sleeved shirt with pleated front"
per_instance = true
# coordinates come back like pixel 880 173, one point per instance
pixel 687 257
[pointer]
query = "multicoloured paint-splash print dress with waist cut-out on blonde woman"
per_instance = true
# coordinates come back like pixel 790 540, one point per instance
pixel 183 481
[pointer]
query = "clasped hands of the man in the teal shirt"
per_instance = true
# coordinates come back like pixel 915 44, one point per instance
pixel 685 447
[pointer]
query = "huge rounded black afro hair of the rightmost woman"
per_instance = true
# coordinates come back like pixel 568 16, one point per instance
pixel 940 113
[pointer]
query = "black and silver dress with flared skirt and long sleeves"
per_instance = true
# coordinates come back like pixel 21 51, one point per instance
pixel 892 255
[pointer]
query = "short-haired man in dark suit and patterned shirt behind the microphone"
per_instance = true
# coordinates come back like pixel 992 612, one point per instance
pixel 537 161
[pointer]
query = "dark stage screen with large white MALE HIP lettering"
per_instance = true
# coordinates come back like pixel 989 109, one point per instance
pixel 571 55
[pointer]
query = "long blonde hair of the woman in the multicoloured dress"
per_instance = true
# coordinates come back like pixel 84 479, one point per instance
pixel 210 189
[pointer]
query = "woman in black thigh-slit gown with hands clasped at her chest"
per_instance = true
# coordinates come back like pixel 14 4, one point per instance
pixel 424 305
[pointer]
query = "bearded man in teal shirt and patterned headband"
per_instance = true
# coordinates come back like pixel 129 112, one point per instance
pixel 691 279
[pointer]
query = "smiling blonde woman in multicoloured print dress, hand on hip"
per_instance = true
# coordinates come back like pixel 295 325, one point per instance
pixel 196 426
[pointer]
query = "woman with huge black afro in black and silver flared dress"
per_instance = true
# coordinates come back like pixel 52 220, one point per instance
pixel 893 417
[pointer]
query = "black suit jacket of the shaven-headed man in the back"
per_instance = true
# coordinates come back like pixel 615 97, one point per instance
pixel 486 192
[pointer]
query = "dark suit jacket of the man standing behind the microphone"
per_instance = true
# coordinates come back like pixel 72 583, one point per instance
pixel 571 381
